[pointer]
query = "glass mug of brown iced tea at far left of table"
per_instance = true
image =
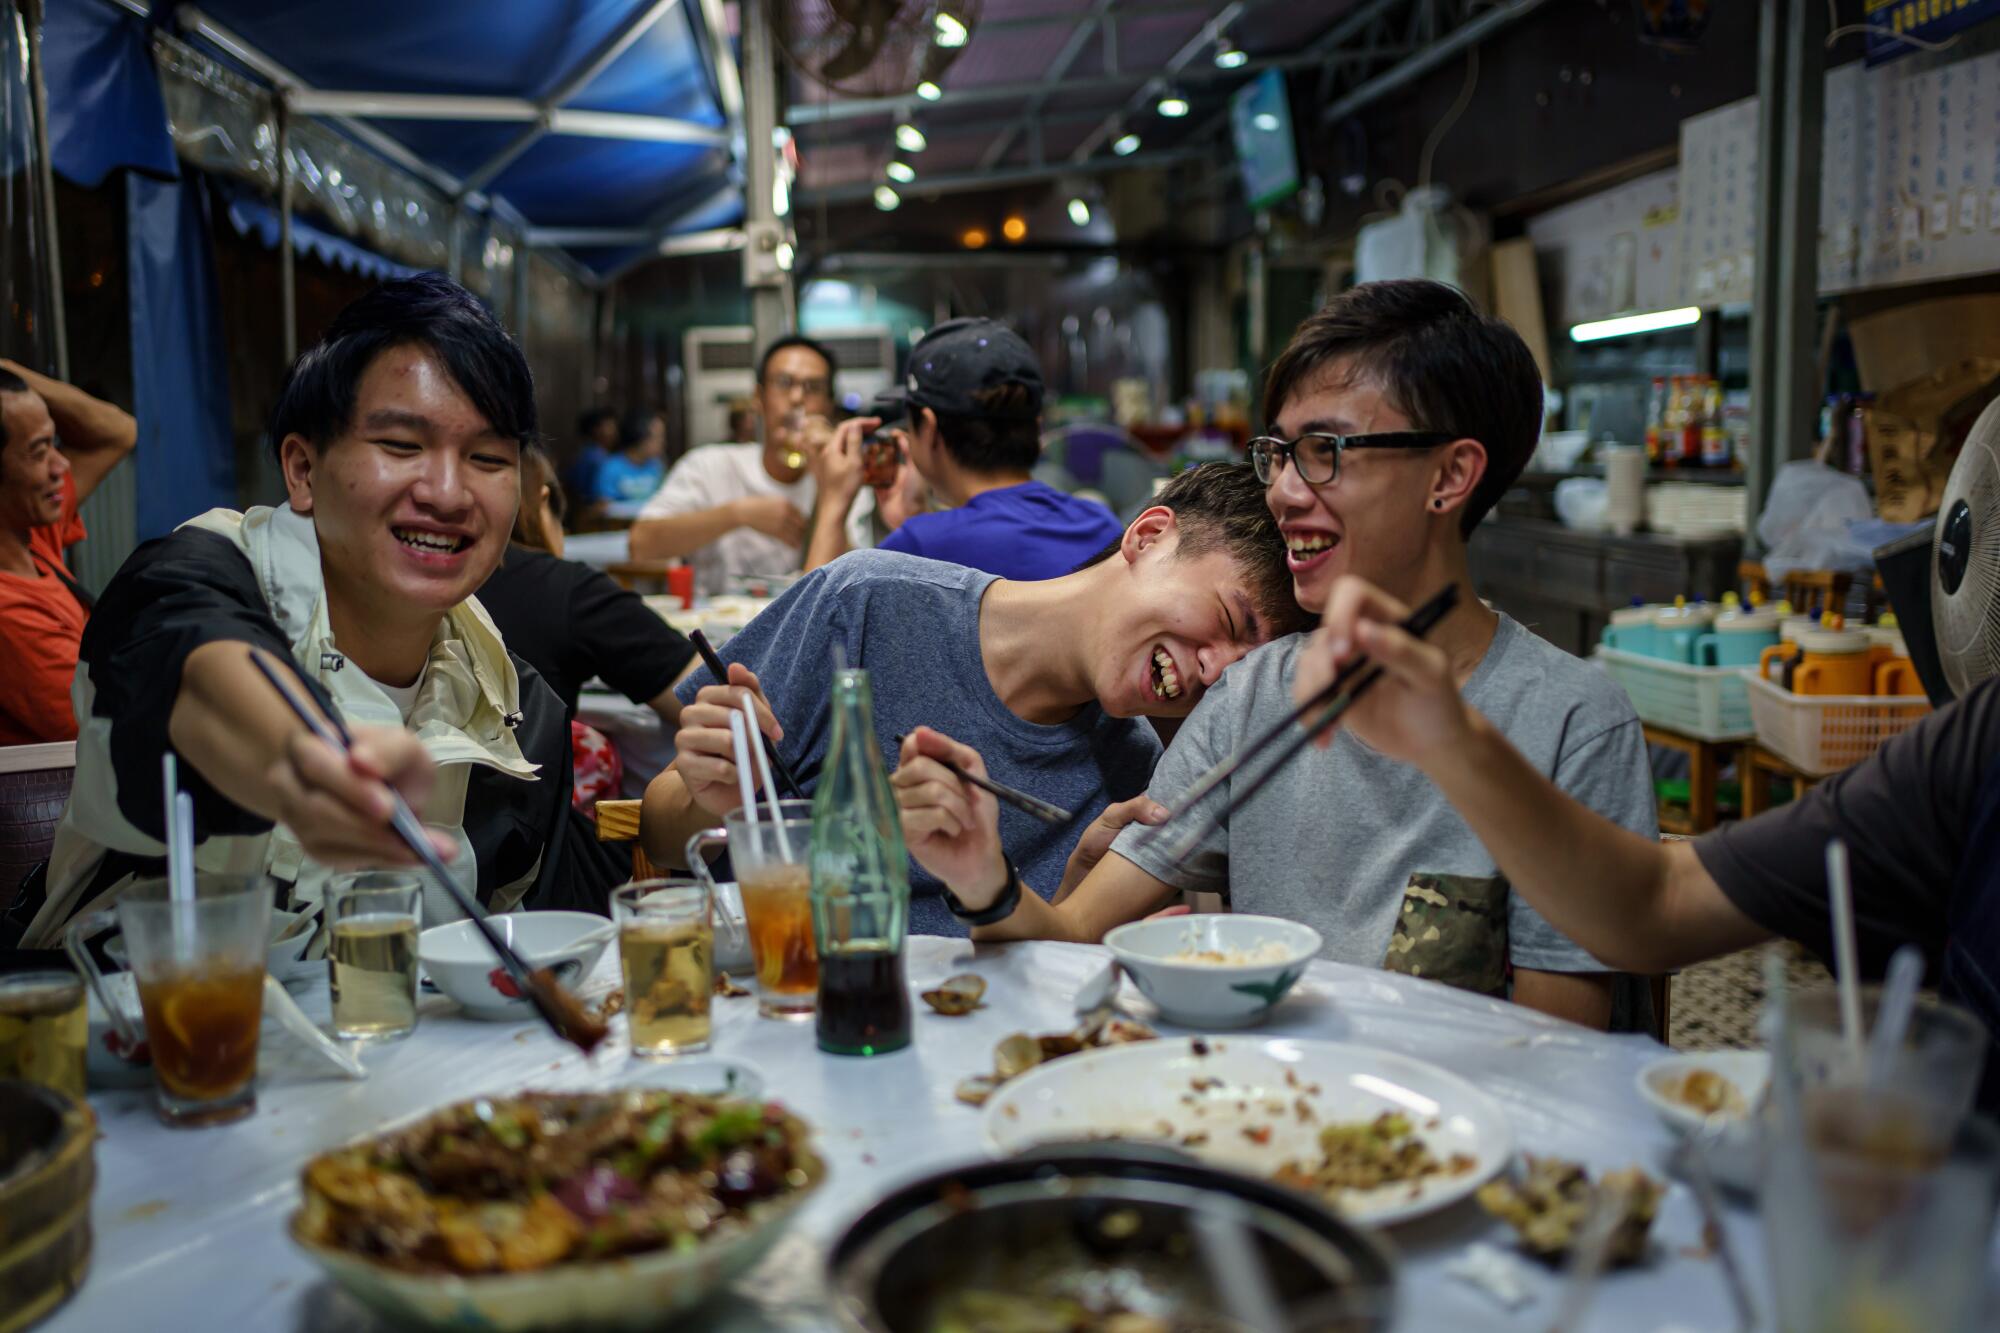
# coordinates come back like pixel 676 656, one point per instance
pixel 201 988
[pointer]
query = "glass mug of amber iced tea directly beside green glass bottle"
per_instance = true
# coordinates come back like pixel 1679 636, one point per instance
pixel 775 882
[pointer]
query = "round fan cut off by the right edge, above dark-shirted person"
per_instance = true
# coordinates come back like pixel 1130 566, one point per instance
pixel 1965 587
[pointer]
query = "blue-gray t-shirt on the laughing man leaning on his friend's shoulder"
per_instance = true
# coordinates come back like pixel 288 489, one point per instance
pixel 915 627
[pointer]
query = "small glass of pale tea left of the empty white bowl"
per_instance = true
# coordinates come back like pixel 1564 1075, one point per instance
pixel 371 954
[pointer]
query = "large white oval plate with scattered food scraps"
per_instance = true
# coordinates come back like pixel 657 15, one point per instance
pixel 1259 1106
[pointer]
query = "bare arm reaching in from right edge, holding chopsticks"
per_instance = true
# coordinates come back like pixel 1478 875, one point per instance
pixel 1635 904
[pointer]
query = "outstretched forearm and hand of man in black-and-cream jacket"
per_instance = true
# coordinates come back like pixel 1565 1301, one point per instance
pixel 253 750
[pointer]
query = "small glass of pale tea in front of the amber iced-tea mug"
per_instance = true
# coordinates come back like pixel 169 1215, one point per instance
pixel 667 948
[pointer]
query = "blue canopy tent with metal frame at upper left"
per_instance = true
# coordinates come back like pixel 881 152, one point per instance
pixel 595 131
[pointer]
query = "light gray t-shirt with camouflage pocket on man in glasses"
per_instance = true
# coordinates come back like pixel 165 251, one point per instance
pixel 1367 852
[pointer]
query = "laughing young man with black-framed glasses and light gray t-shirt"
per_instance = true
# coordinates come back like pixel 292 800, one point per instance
pixel 1399 417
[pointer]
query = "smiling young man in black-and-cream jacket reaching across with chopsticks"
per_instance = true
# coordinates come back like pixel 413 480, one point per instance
pixel 401 437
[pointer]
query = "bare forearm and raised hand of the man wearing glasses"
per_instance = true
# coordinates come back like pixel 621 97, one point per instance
pixel 953 830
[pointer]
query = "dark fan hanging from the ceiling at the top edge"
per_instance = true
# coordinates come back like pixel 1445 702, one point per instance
pixel 873 49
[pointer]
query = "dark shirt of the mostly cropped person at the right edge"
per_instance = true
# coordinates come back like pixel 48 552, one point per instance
pixel 1907 816
